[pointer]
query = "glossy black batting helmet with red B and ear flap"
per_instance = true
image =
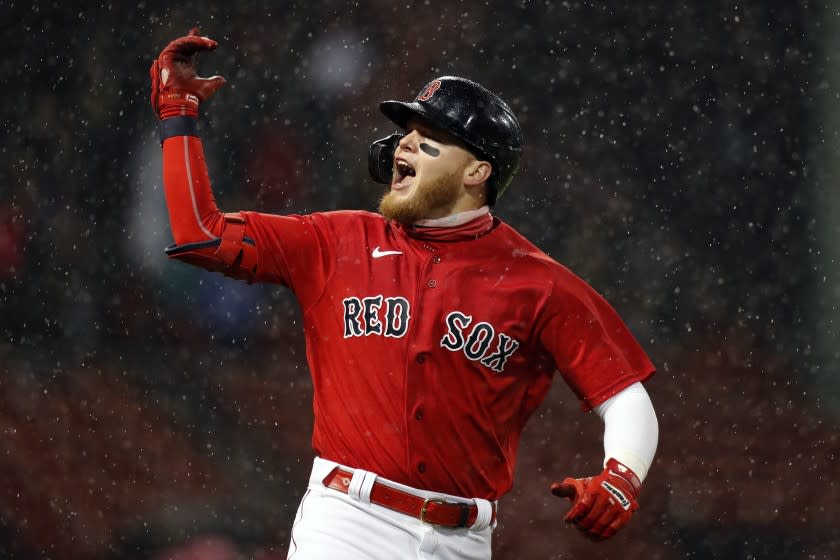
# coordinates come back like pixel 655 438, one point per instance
pixel 471 113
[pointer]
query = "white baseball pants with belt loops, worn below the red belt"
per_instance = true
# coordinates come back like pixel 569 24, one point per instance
pixel 332 525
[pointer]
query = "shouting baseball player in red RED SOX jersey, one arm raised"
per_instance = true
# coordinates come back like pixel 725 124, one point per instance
pixel 433 329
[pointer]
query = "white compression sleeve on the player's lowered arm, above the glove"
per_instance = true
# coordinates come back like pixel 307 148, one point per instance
pixel 631 431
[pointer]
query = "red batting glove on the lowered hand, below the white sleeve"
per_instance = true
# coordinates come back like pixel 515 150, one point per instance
pixel 603 504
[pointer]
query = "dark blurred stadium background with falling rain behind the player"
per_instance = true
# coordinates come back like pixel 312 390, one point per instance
pixel 681 157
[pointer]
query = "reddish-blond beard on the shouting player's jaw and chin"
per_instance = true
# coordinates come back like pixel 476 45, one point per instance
pixel 423 203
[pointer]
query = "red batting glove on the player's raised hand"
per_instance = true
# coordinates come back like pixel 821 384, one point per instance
pixel 176 89
